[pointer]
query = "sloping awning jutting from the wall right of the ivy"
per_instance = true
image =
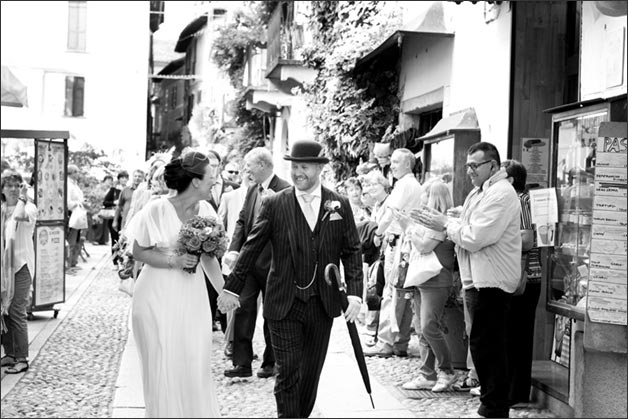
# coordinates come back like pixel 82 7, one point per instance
pixel 430 23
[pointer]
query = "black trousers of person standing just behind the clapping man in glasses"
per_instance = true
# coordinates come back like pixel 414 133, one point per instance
pixel 521 343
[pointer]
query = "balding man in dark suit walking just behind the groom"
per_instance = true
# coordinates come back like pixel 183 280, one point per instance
pixel 259 168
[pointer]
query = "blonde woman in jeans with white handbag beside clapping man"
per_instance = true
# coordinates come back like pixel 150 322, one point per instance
pixel 436 372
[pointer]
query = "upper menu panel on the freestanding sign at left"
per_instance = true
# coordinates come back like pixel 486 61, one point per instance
pixel 50 185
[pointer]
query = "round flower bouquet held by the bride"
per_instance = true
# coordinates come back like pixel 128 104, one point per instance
pixel 202 235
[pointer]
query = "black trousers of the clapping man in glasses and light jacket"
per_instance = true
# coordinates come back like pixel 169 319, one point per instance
pixel 488 350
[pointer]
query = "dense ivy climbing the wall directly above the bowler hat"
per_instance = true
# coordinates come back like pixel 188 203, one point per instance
pixel 348 111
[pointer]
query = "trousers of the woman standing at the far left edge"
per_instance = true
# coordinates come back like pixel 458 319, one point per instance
pixel 15 339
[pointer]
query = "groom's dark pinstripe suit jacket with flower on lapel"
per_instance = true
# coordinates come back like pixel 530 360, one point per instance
pixel 292 251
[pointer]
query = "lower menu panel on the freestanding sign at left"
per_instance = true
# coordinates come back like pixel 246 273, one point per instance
pixel 49 267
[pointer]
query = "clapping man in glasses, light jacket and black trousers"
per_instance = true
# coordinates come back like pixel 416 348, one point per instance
pixel 488 246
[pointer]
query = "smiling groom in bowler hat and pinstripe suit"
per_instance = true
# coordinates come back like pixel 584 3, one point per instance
pixel 308 227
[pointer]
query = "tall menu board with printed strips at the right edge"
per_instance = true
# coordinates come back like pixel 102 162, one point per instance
pixel 606 292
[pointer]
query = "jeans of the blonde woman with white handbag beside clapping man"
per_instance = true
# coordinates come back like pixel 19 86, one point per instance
pixel 429 305
